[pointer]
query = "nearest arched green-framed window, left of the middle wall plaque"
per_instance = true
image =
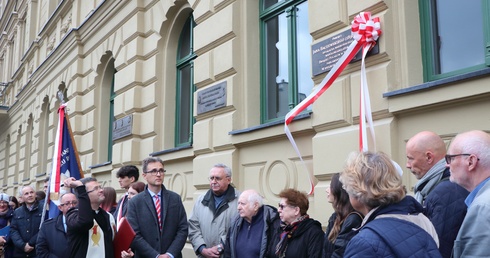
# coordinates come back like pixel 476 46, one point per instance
pixel 185 86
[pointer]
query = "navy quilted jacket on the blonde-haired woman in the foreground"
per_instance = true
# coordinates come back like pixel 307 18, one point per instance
pixel 393 237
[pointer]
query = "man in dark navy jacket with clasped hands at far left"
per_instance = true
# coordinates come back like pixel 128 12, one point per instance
pixel 25 224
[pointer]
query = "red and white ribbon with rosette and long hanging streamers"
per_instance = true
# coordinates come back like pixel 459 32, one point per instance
pixel 365 32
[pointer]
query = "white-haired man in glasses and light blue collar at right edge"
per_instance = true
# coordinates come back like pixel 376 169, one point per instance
pixel 469 161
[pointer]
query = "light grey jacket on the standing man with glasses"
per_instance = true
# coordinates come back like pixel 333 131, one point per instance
pixel 208 226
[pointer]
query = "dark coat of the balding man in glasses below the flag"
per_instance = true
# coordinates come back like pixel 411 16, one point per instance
pixel 52 241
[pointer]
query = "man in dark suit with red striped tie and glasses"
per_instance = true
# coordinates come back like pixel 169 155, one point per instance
pixel 158 234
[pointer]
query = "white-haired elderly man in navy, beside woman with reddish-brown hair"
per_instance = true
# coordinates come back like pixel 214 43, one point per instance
pixel 250 232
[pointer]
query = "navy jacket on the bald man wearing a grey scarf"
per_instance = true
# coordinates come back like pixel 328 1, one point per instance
pixel 445 208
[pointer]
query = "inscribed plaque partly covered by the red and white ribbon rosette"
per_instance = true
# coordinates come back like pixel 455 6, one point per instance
pixel 325 54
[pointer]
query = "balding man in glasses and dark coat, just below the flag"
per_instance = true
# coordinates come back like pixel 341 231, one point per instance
pixel 52 238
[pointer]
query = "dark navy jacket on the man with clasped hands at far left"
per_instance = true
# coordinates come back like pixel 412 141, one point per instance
pixel 24 228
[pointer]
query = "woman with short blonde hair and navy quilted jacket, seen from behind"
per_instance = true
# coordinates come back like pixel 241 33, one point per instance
pixel 394 225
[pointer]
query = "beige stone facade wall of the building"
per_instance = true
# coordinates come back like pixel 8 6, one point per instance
pixel 141 37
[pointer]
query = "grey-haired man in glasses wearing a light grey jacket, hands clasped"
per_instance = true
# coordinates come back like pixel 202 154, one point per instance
pixel 212 214
